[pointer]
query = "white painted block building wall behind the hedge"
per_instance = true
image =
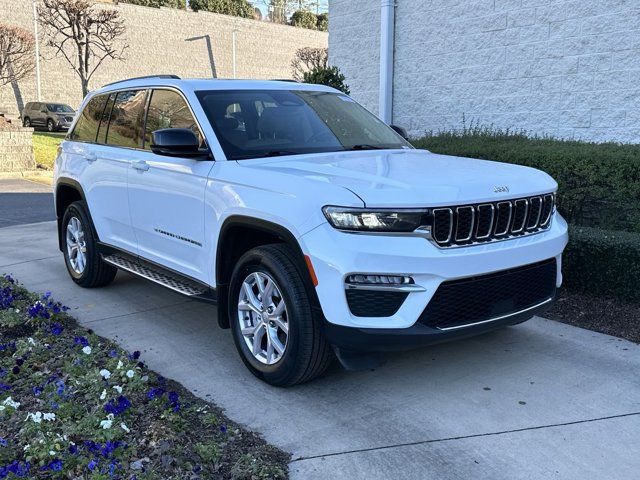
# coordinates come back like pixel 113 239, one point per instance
pixel 567 68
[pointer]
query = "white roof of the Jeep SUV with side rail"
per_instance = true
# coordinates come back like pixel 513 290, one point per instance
pixel 198 84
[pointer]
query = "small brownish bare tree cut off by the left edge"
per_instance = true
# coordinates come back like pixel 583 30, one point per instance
pixel 17 57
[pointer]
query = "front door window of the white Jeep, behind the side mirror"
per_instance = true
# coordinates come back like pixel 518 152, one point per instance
pixel 168 109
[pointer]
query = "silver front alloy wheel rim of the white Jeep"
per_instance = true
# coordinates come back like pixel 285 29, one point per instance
pixel 262 315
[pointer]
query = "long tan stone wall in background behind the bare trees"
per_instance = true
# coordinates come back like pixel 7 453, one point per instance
pixel 164 40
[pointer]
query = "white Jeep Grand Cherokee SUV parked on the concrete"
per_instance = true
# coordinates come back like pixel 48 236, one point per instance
pixel 316 228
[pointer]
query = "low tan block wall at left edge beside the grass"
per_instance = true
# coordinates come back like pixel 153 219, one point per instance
pixel 16 148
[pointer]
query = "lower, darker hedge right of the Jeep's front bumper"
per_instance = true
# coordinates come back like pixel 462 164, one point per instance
pixel 603 263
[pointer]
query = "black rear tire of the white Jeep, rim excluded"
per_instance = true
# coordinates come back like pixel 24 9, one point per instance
pixel 96 273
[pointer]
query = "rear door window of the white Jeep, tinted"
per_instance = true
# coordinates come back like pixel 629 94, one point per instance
pixel 125 126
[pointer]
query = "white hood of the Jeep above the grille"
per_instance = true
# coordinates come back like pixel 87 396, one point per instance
pixel 413 178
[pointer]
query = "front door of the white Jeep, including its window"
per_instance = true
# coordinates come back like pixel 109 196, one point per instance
pixel 166 194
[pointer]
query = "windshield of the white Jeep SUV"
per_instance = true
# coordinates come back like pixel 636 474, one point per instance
pixel 263 123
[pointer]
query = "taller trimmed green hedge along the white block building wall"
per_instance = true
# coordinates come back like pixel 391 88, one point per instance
pixel 599 184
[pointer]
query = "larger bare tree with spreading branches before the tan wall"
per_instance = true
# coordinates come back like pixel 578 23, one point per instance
pixel 84 35
